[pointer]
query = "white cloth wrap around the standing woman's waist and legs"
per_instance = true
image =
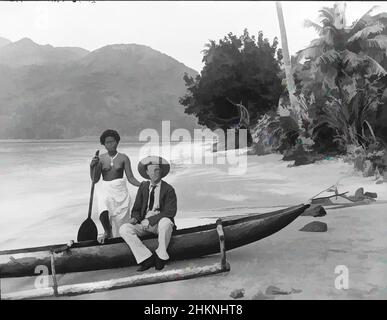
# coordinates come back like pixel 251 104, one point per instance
pixel 114 197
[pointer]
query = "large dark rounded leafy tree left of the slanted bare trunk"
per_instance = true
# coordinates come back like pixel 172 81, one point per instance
pixel 240 69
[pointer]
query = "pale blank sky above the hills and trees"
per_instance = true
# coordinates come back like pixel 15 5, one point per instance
pixel 179 29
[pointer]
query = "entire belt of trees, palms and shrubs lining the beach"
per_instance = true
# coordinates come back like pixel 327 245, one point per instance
pixel 334 103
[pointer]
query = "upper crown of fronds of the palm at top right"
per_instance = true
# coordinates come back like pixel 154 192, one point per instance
pixel 347 48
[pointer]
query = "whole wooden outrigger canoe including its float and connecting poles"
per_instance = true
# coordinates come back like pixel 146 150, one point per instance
pixel 226 234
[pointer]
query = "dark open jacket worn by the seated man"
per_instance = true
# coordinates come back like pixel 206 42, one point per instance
pixel 168 203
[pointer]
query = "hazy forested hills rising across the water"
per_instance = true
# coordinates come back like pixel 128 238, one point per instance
pixel 51 92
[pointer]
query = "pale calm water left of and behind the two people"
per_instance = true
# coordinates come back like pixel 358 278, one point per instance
pixel 45 187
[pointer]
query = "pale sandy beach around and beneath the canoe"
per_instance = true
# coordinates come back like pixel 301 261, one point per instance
pixel 303 263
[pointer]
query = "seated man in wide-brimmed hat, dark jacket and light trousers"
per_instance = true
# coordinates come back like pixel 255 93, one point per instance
pixel 153 212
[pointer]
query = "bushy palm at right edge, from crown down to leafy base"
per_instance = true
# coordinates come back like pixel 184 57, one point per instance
pixel 349 57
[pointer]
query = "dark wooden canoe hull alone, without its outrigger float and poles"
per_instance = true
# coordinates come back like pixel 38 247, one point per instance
pixel 186 243
